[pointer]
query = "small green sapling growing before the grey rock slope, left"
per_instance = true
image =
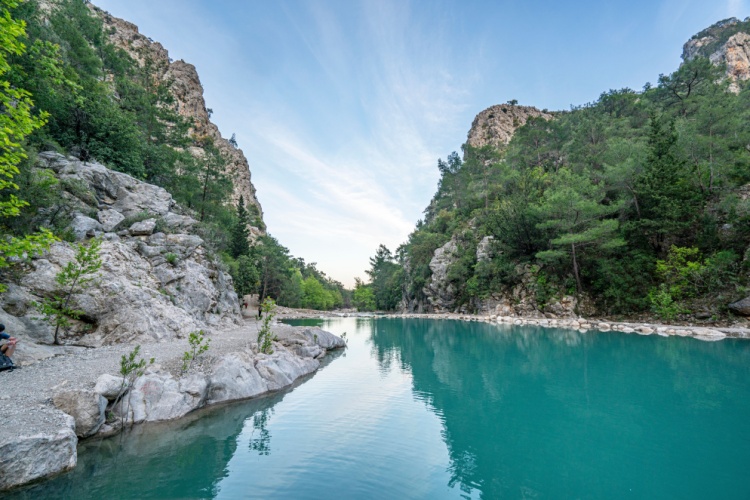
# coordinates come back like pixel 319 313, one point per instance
pixel 59 310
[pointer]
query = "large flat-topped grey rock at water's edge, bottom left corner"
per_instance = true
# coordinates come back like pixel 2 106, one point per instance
pixel 28 458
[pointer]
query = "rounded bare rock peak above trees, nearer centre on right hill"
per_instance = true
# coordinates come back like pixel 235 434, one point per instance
pixel 496 125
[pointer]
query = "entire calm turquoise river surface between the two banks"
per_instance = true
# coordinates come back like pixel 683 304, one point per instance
pixel 445 409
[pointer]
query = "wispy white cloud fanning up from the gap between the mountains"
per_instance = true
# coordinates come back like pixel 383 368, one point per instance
pixel 355 191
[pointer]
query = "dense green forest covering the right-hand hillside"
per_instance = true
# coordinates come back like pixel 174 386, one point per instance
pixel 638 201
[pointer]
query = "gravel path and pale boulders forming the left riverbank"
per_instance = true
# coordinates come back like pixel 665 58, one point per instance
pixel 49 405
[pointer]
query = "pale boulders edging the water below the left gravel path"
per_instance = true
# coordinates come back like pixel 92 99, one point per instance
pixel 45 443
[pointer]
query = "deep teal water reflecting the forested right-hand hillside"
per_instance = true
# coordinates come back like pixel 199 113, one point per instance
pixel 532 412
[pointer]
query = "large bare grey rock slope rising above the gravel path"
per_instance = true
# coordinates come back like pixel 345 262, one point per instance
pixel 156 281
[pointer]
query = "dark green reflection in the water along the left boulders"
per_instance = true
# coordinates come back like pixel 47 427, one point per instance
pixel 197 448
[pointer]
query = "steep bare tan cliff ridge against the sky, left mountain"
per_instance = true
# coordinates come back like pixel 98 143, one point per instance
pixel 187 91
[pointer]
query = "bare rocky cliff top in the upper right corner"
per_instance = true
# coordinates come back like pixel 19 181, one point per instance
pixel 726 42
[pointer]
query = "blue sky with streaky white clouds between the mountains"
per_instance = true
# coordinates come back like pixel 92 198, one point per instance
pixel 343 107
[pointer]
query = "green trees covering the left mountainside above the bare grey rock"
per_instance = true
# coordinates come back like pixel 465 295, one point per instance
pixel 66 88
